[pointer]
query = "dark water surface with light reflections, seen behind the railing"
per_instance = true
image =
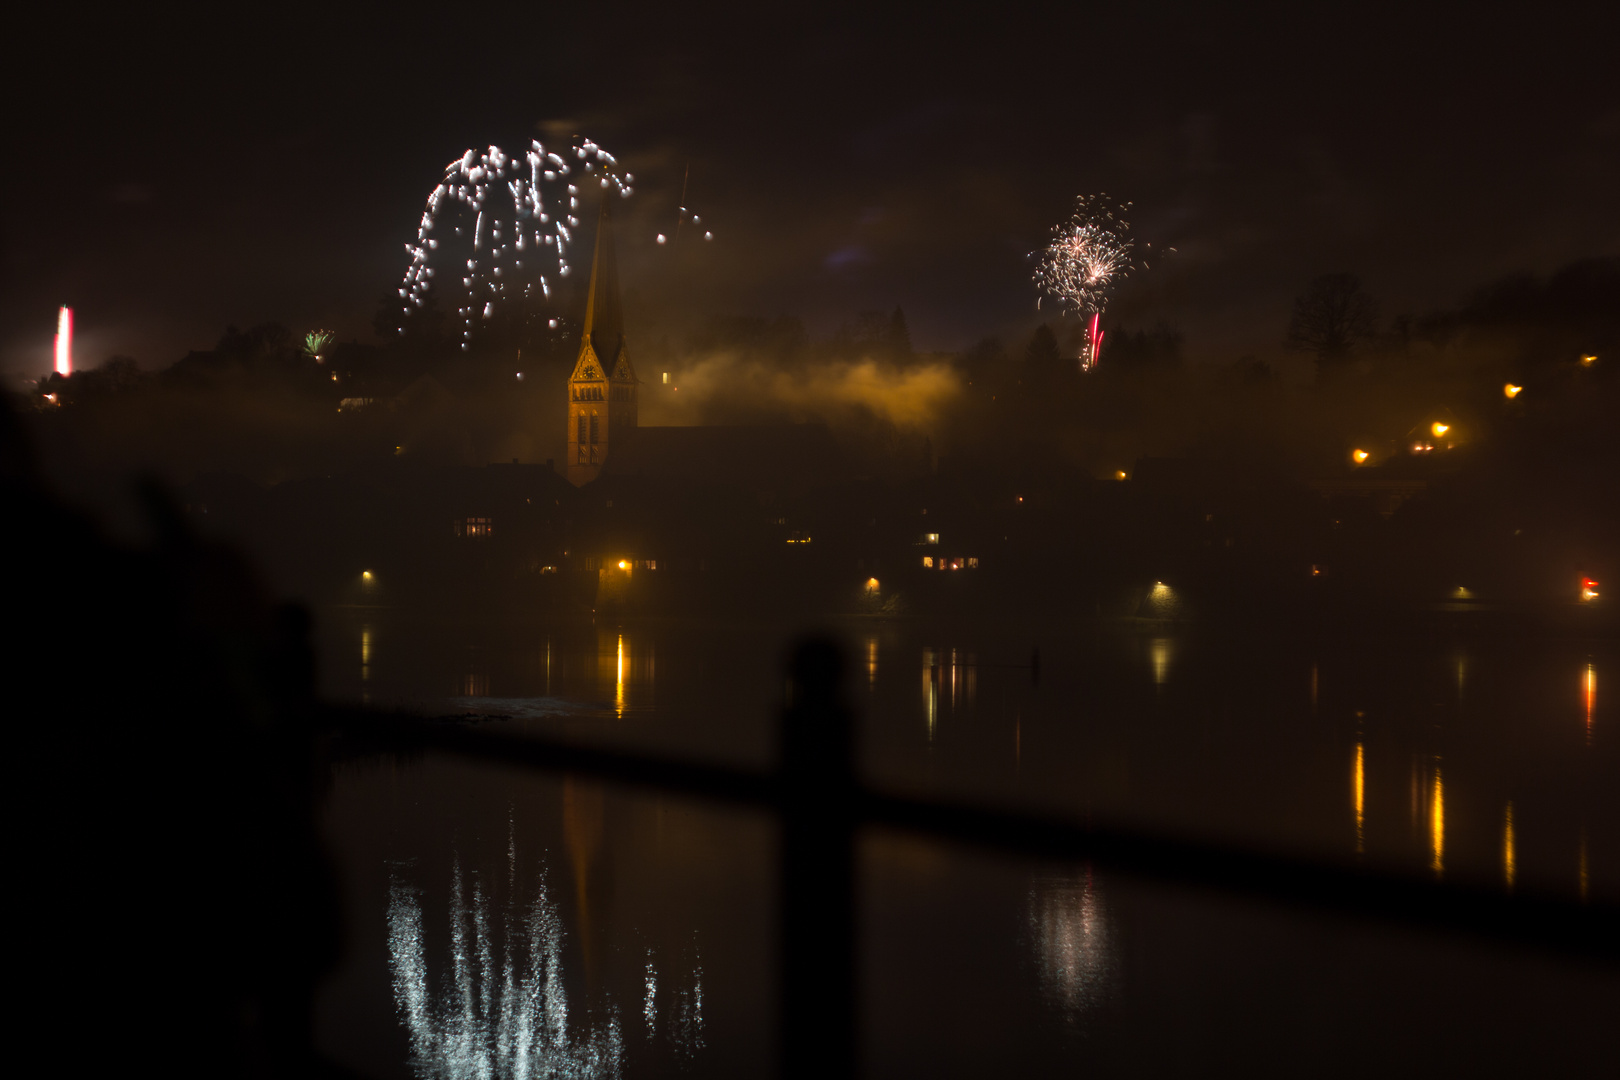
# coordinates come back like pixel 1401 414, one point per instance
pixel 508 924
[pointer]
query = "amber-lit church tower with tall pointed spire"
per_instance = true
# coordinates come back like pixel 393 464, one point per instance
pixel 603 386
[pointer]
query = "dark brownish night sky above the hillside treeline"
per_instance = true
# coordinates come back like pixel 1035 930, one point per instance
pixel 176 176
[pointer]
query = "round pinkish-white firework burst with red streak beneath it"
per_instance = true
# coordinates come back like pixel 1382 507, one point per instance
pixel 1085 261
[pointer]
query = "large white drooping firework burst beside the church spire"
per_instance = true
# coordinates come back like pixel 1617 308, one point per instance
pixel 501 224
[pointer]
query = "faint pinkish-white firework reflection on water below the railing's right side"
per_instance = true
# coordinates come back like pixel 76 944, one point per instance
pixel 1073 943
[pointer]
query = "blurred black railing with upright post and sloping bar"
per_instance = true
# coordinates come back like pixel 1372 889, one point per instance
pixel 821 806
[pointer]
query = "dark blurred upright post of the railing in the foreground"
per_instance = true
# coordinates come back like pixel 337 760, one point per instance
pixel 817 870
